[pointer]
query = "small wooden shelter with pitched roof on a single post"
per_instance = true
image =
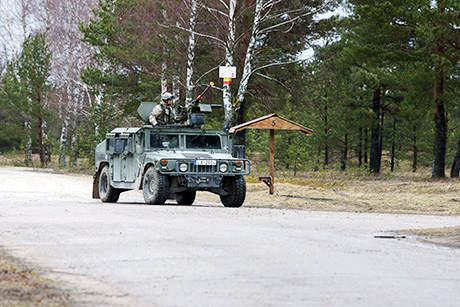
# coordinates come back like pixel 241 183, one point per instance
pixel 271 122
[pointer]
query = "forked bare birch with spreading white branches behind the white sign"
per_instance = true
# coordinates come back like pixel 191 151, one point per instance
pixel 270 17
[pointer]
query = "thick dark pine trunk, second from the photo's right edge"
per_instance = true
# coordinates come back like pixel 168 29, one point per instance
pixel 440 121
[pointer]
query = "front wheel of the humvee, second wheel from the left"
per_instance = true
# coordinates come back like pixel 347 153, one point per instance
pixel 155 186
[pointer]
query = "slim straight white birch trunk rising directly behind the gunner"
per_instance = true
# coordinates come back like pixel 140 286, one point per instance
pixel 191 53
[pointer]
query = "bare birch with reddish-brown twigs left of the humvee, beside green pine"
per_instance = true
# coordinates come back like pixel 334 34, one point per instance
pixel 70 58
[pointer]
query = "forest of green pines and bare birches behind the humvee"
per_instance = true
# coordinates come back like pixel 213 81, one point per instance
pixel 377 81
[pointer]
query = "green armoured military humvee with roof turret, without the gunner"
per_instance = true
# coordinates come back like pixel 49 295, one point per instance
pixel 172 161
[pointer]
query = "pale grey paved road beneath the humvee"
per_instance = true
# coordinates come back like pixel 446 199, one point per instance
pixel 130 253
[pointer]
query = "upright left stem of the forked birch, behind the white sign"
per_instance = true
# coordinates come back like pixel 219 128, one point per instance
pixel 229 54
